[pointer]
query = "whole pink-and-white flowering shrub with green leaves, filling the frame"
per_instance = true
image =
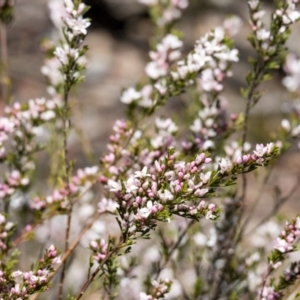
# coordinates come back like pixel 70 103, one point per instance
pixel 181 185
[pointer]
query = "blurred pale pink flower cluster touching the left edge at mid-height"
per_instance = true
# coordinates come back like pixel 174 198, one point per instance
pixel 18 127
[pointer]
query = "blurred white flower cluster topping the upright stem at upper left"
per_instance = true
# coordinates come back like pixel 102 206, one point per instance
pixel 67 58
